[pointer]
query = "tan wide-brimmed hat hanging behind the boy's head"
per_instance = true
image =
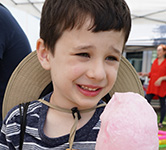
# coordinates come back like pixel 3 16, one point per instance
pixel 29 80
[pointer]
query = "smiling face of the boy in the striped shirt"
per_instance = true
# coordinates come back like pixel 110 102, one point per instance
pixel 84 67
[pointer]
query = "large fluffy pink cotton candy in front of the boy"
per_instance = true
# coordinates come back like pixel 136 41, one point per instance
pixel 128 123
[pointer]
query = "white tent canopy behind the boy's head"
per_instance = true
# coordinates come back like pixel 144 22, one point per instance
pixel 148 21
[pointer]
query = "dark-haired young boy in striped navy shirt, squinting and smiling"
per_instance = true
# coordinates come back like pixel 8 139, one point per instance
pixel 80 43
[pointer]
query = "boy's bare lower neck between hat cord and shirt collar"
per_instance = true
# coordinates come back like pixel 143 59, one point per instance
pixel 60 123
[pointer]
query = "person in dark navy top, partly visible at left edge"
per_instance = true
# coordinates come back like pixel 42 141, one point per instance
pixel 14 46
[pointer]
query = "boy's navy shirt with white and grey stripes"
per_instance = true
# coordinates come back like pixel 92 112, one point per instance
pixel 35 139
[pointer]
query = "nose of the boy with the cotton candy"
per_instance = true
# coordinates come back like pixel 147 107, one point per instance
pixel 96 71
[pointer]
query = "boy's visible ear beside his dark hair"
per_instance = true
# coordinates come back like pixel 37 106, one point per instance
pixel 43 54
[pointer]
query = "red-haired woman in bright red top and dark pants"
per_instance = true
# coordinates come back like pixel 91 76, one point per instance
pixel 157 82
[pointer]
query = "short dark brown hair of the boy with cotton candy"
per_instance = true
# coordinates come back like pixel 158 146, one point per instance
pixel 59 15
